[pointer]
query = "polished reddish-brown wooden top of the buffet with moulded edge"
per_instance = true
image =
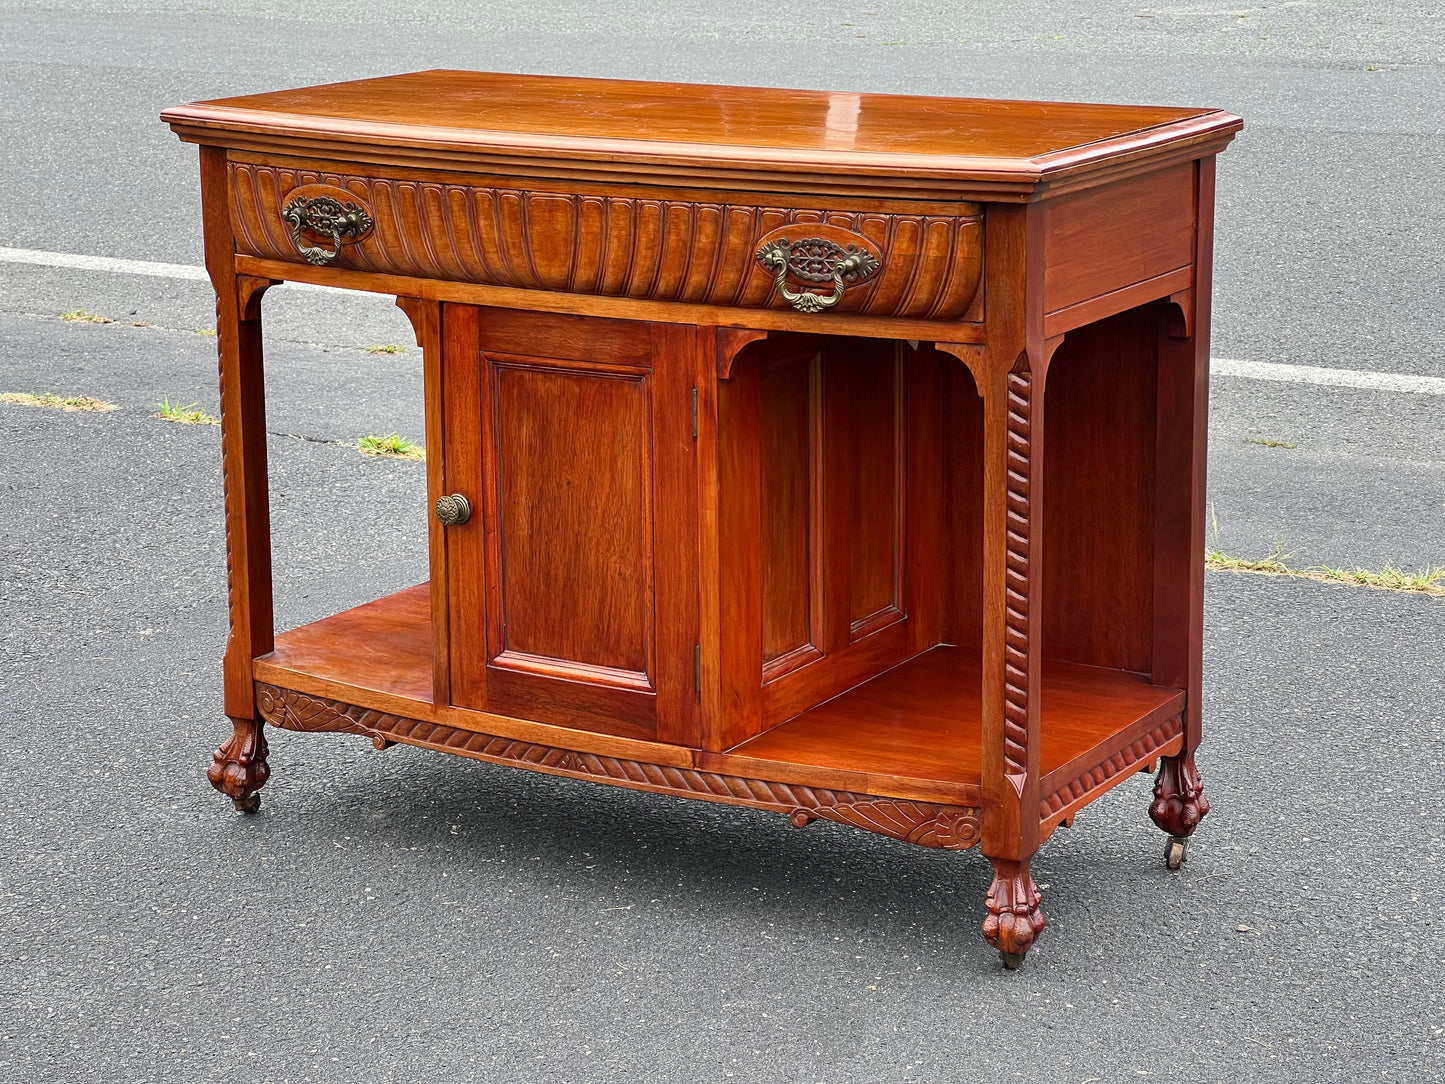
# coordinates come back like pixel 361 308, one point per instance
pixel 764 129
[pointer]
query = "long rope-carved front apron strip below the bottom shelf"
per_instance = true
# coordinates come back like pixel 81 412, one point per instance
pixel 947 827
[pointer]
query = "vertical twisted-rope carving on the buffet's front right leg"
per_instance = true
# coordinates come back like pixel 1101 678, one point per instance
pixel 1017 583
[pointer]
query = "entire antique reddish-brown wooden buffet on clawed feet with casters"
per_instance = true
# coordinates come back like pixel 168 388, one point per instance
pixel 834 455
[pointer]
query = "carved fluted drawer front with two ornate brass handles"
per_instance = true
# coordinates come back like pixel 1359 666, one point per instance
pixel 713 249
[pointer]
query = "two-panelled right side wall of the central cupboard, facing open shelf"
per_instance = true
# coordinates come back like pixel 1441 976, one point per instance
pixel 830 522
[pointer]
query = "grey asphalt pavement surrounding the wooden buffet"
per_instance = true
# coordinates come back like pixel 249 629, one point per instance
pixel 411 917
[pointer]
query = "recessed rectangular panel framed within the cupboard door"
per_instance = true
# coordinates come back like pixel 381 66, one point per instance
pixel 574 482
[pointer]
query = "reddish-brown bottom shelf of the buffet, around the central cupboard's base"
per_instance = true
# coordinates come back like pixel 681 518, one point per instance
pixel 914 732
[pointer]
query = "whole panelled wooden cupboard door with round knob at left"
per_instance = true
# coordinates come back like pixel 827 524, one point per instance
pixel 573 590
